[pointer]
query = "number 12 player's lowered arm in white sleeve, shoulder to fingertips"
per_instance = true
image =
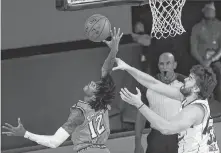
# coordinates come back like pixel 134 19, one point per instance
pixel 75 119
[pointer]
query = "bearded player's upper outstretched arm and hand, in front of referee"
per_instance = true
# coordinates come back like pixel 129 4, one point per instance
pixel 150 82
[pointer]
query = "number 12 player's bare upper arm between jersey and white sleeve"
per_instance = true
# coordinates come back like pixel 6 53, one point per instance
pixel 75 119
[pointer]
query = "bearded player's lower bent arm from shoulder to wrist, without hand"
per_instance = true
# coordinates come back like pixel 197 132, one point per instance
pixel 189 116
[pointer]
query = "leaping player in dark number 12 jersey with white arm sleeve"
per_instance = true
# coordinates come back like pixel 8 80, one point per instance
pixel 88 122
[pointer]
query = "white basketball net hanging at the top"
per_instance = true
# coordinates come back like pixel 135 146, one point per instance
pixel 166 18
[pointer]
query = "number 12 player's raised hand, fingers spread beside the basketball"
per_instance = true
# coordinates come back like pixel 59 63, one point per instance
pixel 115 39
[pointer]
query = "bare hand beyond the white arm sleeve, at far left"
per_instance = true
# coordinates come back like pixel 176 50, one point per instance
pixel 14 131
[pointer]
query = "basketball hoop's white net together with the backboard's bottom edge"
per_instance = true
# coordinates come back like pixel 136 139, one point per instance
pixel 166 13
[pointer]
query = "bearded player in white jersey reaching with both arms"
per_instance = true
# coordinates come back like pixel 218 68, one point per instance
pixel 191 123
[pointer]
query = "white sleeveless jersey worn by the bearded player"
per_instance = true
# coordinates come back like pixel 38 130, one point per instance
pixel 196 138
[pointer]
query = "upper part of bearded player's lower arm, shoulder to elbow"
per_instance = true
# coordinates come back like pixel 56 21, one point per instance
pixel 191 115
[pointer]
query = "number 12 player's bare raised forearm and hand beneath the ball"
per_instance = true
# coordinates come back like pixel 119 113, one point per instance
pixel 113 45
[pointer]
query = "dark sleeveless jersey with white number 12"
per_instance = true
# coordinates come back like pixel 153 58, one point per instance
pixel 94 131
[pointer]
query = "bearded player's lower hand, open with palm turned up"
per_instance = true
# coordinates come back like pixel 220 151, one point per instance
pixel 130 98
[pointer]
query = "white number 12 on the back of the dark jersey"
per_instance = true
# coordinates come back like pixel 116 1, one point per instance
pixel 99 129
